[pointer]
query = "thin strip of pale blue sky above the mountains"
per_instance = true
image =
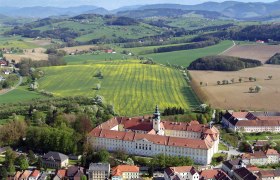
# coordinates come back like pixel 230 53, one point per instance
pixel 108 4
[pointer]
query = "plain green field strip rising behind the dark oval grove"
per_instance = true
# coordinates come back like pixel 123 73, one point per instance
pixel 184 58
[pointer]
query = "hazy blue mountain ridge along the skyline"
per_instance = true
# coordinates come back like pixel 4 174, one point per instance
pixel 232 9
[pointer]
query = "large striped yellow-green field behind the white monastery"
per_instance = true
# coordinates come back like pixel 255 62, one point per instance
pixel 133 88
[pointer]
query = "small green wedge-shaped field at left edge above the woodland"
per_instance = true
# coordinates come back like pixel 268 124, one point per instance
pixel 19 95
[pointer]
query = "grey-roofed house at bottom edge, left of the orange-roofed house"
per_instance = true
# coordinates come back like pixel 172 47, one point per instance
pixel 99 171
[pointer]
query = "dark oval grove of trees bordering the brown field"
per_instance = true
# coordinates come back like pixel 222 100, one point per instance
pixel 223 63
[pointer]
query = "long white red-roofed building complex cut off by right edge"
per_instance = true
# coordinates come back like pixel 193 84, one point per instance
pixel 252 121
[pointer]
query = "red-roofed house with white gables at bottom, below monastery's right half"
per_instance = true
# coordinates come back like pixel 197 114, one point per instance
pixel 181 172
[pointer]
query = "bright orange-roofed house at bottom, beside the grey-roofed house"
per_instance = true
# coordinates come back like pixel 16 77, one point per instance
pixel 125 172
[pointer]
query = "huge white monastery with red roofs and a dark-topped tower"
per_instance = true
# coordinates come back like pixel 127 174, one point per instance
pixel 151 136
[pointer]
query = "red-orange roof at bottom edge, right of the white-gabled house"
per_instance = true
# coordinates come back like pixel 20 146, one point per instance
pixel 213 174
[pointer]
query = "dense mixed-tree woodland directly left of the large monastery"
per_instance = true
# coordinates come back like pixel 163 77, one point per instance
pixel 58 124
